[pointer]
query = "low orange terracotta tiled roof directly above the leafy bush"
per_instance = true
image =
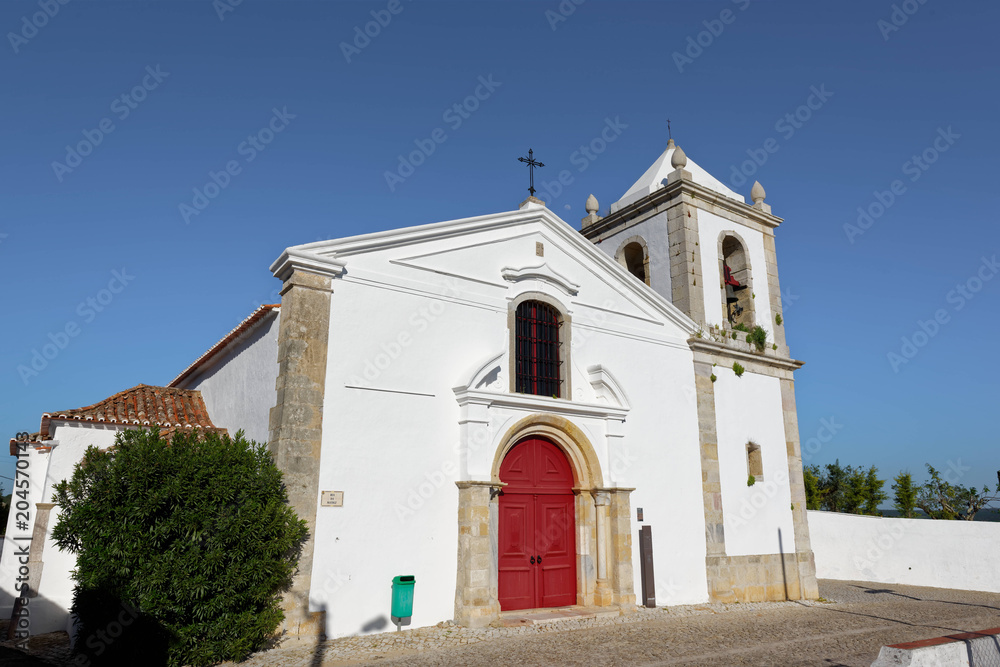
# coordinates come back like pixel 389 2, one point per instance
pixel 143 405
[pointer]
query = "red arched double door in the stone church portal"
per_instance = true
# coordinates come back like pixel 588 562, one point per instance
pixel 537 545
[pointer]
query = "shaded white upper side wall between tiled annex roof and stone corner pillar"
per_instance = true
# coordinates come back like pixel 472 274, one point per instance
pixel 238 383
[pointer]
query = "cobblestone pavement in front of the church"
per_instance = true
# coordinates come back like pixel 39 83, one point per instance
pixel 848 630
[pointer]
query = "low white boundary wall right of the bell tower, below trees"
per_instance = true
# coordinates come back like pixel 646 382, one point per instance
pixel 918 552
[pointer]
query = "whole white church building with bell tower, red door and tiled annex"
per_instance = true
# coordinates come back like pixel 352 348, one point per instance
pixel 500 405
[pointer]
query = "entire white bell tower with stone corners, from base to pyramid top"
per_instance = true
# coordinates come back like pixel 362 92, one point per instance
pixel 698 244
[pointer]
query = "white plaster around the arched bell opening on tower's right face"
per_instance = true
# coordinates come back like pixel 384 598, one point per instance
pixel 710 228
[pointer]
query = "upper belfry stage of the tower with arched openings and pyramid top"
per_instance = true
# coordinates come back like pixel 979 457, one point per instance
pixel 697 243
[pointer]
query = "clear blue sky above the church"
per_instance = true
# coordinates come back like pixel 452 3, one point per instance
pixel 201 82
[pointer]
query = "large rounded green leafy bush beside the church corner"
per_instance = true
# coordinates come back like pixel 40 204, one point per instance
pixel 184 545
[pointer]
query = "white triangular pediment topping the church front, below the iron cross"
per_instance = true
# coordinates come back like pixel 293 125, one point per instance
pixel 495 252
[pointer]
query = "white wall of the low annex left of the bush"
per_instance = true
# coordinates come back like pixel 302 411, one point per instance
pixel 50 608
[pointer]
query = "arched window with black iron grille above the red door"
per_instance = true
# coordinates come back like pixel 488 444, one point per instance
pixel 537 349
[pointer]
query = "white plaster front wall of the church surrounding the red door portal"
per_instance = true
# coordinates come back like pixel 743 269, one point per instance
pixel 410 324
